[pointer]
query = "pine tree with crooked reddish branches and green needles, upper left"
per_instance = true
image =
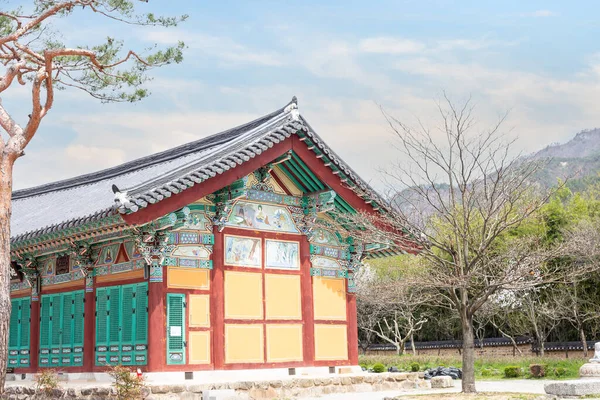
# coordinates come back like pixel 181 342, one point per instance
pixel 33 55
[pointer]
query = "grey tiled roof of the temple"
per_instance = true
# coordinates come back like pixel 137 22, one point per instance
pixel 148 180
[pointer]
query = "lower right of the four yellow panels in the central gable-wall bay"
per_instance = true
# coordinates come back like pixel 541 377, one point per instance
pixel 284 343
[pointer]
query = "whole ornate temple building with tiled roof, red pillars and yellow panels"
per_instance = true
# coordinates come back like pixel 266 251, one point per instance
pixel 220 254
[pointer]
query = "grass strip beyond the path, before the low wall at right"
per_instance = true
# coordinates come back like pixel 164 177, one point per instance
pixel 486 368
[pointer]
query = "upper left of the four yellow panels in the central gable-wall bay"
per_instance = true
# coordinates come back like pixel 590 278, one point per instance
pixel 243 295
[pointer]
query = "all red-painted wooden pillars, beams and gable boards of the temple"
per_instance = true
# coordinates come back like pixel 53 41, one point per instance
pixel 158 291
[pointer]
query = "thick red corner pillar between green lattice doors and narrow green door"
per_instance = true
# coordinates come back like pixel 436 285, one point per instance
pixel 157 328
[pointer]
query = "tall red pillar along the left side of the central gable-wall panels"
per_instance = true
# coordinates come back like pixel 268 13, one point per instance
pixel 217 302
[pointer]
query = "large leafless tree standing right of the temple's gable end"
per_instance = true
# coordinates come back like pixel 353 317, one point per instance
pixel 464 193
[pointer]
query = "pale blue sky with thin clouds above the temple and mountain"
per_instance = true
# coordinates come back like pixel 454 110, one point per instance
pixel 540 59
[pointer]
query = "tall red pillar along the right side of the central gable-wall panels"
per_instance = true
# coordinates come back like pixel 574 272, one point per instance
pixel 308 313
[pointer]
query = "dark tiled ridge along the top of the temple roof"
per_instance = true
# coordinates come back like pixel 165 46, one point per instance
pixel 146 161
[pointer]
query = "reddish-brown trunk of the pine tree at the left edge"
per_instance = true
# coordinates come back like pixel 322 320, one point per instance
pixel 5 306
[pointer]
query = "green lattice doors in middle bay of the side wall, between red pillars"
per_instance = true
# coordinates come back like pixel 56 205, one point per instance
pixel 62 329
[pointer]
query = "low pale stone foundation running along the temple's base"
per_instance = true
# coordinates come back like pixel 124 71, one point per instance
pixel 246 390
